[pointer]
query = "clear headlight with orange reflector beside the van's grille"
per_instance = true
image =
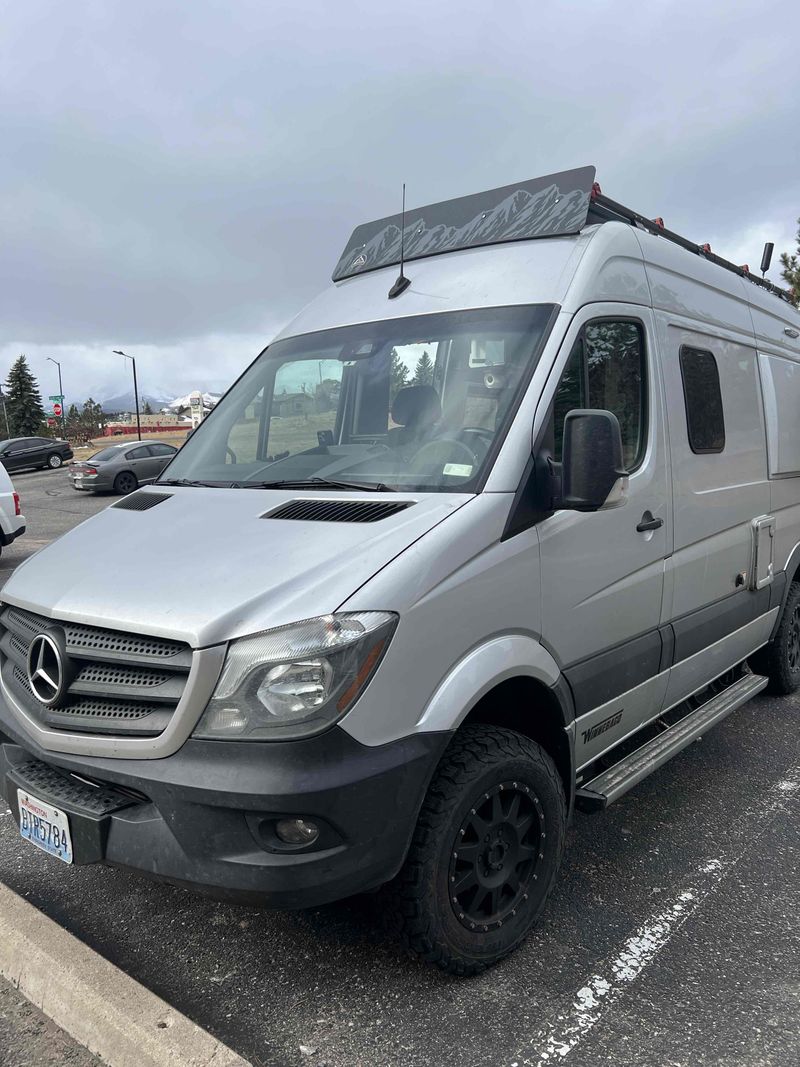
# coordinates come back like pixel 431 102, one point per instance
pixel 297 680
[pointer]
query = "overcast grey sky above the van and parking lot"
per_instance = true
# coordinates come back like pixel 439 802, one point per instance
pixel 178 180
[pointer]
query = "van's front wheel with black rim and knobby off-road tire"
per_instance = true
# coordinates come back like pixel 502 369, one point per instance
pixel 485 854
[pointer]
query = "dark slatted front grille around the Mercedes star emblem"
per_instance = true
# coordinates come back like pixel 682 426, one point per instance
pixel 122 684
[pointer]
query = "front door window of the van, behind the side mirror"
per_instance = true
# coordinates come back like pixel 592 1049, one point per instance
pixel 607 371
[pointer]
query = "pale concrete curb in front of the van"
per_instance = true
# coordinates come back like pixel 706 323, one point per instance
pixel 97 1004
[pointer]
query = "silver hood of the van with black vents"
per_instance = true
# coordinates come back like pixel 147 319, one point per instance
pixel 210 565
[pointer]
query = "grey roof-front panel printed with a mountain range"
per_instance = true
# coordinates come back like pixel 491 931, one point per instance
pixel 555 205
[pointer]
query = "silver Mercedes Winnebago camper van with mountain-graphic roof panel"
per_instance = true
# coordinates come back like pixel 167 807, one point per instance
pixel 505 519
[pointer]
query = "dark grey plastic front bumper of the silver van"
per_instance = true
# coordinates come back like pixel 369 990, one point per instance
pixel 204 818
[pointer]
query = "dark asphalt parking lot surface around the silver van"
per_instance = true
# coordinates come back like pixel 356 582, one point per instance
pixel 673 936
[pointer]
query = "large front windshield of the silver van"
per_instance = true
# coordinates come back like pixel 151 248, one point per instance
pixel 418 403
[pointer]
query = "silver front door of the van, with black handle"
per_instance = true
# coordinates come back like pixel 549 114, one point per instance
pixel 602 572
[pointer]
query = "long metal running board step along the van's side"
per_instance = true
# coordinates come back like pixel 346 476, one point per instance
pixel 613 784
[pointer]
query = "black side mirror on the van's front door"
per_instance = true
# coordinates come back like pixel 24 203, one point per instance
pixel 593 472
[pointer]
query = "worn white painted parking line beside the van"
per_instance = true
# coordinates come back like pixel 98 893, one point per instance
pixel 597 996
